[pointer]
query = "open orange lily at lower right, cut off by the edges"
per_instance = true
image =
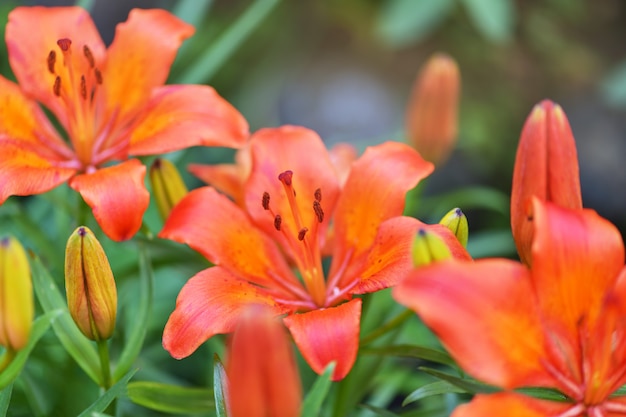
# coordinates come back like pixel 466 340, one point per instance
pixel 559 324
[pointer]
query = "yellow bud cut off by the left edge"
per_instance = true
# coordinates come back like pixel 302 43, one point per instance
pixel 16 295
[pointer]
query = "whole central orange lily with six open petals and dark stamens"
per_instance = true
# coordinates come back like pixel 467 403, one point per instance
pixel 292 194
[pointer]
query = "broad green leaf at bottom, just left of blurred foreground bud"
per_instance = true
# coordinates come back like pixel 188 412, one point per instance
pixel 171 398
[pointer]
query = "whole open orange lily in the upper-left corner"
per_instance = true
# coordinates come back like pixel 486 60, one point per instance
pixel 111 104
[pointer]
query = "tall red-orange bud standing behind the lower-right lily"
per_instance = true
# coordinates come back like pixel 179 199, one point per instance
pixel 546 166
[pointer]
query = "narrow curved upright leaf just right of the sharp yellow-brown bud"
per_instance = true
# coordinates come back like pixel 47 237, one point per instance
pixel 138 328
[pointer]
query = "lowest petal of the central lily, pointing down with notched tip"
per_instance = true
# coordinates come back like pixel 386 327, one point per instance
pixel 328 335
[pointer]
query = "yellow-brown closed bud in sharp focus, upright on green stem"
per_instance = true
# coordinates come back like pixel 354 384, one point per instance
pixel 89 285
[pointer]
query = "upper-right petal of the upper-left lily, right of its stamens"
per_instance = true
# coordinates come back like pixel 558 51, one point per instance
pixel 140 57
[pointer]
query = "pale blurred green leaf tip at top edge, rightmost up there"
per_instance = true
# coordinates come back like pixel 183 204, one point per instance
pixel 494 19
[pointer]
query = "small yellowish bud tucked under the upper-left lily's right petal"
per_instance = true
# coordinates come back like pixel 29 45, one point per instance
pixel 167 185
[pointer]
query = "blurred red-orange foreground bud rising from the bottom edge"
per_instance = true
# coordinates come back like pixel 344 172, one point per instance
pixel 261 369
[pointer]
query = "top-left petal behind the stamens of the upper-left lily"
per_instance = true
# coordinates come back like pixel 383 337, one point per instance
pixel 32 32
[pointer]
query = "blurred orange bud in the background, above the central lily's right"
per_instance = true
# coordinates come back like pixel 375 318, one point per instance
pixel 431 118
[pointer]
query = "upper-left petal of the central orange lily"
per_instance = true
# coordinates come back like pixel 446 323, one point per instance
pixel 214 226
